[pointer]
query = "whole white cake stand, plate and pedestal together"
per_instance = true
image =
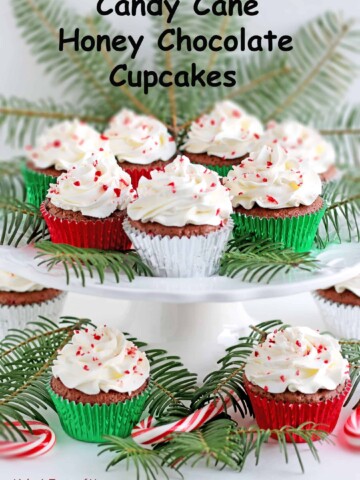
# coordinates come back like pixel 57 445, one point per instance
pixel 162 311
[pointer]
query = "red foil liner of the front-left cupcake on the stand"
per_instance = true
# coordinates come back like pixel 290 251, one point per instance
pixel 107 234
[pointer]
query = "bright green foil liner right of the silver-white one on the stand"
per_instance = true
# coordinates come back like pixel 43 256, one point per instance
pixel 297 233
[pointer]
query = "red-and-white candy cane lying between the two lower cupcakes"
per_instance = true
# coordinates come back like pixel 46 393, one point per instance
pixel 146 433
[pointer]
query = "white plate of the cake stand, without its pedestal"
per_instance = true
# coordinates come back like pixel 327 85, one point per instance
pixel 338 263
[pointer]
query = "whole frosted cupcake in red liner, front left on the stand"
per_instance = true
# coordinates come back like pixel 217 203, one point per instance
pixel 87 206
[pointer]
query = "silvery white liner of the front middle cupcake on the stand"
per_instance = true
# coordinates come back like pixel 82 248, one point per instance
pixel 198 256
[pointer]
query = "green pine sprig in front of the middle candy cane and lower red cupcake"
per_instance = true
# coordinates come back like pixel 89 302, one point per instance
pixel 220 443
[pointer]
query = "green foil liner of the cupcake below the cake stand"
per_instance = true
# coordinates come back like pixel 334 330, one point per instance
pixel 90 423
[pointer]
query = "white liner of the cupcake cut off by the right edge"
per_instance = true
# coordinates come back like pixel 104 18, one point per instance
pixel 341 320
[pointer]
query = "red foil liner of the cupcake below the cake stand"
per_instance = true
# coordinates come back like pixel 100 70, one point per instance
pixel 270 414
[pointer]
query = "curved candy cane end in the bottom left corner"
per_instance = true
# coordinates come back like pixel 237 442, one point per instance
pixel 34 447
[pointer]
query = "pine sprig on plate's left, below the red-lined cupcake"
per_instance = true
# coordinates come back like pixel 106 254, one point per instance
pixel 83 262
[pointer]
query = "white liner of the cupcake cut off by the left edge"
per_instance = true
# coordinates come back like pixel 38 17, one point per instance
pixel 18 316
